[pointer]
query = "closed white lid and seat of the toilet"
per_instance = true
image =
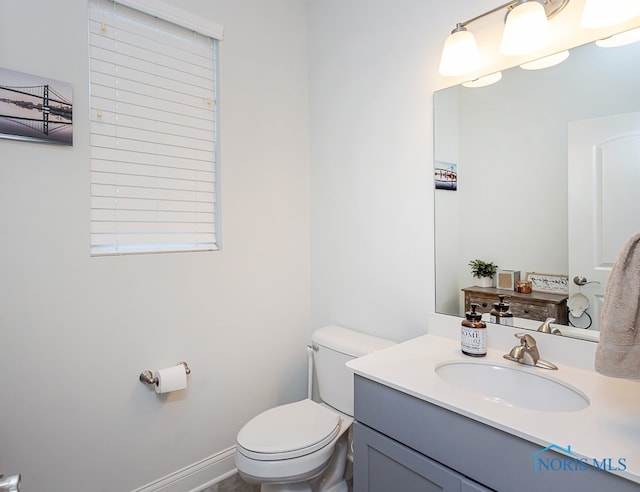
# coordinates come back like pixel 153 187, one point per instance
pixel 288 431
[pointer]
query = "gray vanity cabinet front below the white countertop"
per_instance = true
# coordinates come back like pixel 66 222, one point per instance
pixel 405 444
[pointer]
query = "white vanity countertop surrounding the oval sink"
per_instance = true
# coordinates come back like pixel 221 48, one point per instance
pixel 608 428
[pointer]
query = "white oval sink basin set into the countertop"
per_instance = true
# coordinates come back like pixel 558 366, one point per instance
pixel 512 386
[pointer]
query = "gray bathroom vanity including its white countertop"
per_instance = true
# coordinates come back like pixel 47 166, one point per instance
pixel 415 431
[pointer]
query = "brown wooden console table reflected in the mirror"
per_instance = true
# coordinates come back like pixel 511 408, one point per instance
pixel 537 305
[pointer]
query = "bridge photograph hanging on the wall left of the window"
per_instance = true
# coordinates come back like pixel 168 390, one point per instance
pixel 35 108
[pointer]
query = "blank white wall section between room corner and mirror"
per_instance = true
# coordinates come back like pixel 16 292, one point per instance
pixel 373 70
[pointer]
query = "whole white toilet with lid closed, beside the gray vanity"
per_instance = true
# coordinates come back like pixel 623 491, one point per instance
pixel 302 446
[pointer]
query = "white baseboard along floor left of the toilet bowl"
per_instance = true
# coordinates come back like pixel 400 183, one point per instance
pixel 196 476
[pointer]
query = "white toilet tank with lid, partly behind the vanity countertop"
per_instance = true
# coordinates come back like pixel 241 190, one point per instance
pixel 333 347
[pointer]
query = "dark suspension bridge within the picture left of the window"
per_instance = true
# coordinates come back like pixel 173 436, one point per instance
pixel 38 107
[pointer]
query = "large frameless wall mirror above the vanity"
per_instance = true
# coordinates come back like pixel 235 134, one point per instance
pixel 529 197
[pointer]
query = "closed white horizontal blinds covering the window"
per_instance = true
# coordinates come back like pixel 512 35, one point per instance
pixel 153 128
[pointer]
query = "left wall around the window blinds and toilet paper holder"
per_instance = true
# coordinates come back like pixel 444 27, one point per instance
pixel 76 331
